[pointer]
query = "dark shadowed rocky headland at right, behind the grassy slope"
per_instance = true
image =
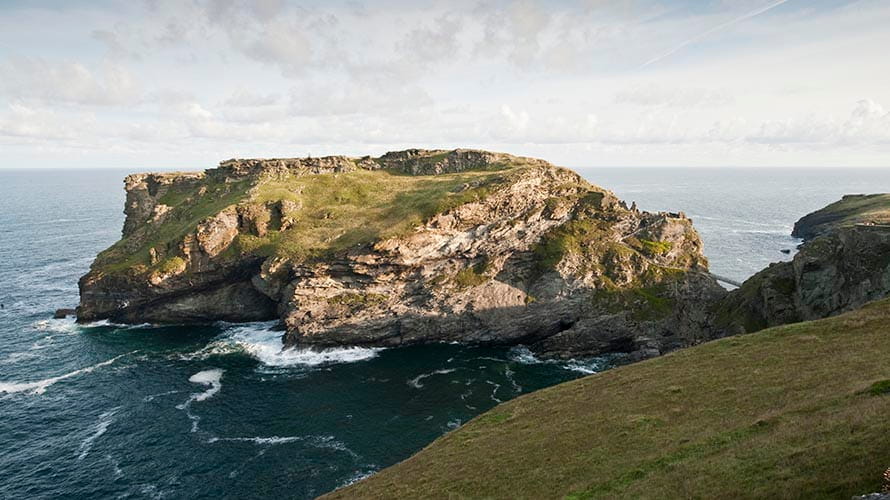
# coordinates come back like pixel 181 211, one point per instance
pixel 843 263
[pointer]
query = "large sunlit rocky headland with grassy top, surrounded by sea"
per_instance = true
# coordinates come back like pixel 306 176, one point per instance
pixel 413 246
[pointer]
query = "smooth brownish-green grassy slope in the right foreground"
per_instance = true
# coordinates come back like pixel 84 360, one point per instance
pixel 799 411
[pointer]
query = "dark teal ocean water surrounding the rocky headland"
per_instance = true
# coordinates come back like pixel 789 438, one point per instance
pixel 219 411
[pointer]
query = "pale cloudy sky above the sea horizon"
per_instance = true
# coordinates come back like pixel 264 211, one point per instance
pixel 187 83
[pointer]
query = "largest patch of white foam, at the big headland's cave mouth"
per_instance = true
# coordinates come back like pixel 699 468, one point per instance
pixel 262 342
